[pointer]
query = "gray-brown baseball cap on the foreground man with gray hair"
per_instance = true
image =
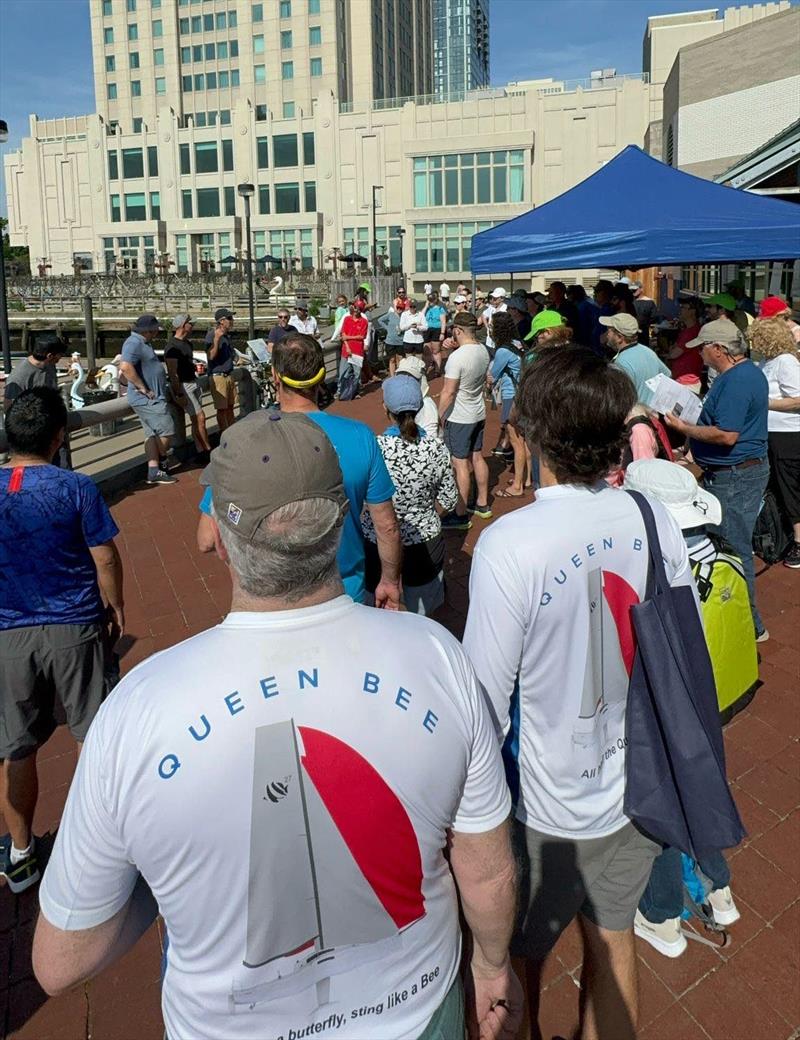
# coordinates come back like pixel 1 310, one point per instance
pixel 267 461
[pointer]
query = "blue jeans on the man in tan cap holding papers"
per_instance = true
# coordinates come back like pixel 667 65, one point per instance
pixel 741 492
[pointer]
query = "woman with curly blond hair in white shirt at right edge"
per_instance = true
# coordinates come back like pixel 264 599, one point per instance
pixel 779 359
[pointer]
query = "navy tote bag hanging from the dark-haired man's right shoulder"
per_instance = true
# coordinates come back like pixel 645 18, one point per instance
pixel 677 790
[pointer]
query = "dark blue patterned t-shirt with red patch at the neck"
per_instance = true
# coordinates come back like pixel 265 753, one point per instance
pixel 49 518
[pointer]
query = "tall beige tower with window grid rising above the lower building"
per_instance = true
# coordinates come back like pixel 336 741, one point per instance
pixel 199 59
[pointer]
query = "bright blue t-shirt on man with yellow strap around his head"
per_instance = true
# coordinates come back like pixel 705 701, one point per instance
pixel 367 482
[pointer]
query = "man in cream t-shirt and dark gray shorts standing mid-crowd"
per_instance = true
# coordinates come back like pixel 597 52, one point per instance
pixel 462 414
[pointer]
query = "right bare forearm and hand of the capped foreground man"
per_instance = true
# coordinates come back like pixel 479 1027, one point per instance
pixel 483 867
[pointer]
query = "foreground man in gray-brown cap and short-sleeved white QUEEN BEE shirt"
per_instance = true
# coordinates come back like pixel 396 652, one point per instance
pixel 286 786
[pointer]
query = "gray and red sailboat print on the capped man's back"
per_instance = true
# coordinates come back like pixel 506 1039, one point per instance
pixel 334 860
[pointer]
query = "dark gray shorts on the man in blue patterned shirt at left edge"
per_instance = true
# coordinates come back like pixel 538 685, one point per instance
pixel 40 665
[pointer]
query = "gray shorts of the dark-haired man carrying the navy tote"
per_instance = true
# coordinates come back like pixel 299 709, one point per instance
pixel 603 879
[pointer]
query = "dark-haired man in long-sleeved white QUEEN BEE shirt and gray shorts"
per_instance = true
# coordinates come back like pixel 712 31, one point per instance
pixel 551 637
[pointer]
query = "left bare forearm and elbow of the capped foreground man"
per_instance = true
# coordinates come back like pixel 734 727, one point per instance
pixel 63 959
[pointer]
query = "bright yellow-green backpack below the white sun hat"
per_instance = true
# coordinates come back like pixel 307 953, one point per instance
pixel 730 631
